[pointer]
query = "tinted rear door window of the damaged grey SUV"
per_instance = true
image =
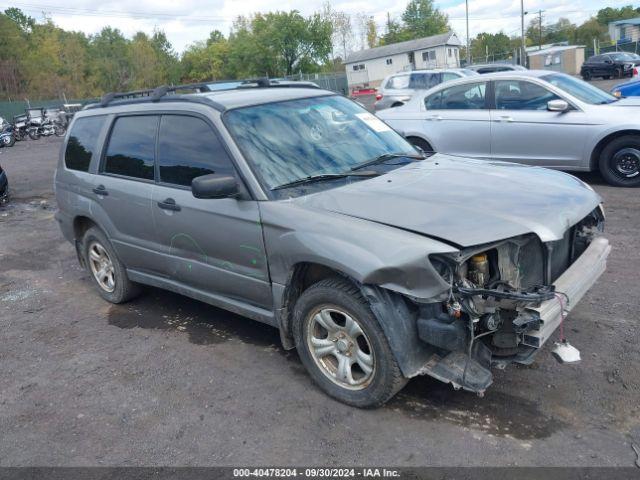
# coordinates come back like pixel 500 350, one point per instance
pixel 131 147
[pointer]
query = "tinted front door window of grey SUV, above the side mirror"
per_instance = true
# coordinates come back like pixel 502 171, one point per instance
pixel 189 148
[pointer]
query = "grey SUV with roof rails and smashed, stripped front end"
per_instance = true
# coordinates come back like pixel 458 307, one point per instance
pixel 296 207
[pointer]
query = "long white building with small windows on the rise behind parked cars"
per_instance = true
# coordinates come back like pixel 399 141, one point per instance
pixel 370 67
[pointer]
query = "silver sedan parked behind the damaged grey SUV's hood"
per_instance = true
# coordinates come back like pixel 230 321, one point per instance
pixel 536 117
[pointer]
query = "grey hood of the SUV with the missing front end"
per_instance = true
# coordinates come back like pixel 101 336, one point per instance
pixel 464 202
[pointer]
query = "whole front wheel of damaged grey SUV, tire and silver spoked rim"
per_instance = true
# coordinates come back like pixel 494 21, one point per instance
pixel 342 345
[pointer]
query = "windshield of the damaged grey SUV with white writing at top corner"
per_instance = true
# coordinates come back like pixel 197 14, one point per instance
pixel 291 140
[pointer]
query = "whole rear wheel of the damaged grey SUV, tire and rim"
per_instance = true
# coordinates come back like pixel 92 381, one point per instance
pixel 107 271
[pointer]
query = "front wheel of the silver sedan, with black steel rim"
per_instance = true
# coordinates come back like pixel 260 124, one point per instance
pixel 618 163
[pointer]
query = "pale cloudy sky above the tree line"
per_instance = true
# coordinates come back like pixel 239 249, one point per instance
pixel 186 21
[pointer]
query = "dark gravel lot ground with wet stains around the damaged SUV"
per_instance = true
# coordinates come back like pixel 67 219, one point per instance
pixel 165 380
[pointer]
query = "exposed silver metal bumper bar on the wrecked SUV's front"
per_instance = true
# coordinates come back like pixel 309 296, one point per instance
pixel 572 285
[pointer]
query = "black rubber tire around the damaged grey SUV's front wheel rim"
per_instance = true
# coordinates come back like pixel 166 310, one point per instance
pixel 386 378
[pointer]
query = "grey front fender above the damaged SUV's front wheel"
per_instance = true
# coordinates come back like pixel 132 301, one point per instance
pixel 368 252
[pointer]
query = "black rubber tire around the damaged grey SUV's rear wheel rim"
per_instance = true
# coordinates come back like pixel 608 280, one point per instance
pixel 124 289
